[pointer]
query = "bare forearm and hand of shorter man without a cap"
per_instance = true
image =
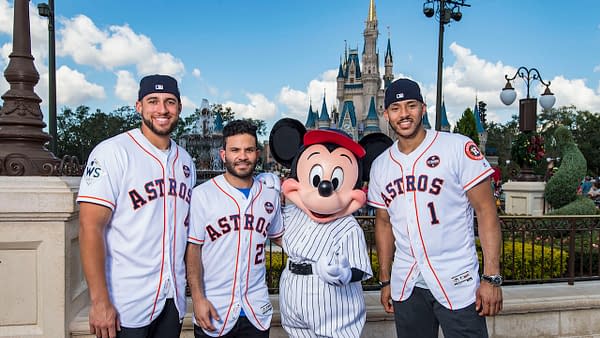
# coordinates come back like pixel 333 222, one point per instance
pixel 203 308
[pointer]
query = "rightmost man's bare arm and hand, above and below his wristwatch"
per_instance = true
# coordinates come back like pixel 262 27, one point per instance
pixel 489 298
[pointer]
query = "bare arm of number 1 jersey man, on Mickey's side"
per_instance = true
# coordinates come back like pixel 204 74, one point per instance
pixel 384 239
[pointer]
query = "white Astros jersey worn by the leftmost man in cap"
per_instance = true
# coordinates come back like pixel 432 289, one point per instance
pixel 149 192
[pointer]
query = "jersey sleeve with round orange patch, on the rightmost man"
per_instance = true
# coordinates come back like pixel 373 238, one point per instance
pixel 473 167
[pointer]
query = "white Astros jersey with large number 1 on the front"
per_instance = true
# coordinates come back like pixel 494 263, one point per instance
pixel 425 194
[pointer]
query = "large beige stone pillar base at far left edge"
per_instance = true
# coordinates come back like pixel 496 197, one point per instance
pixel 41 280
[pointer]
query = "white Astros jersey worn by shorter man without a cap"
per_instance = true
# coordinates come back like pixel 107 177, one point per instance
pixel 232 230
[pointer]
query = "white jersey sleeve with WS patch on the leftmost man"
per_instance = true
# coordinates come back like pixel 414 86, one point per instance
pixel 102 174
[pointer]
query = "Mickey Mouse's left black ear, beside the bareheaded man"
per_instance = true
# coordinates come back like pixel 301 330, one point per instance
pixel 285 139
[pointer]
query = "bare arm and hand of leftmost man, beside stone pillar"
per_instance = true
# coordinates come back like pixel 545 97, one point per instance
pixel 103 317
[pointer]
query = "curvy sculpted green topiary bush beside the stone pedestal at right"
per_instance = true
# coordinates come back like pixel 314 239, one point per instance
pixel 561 189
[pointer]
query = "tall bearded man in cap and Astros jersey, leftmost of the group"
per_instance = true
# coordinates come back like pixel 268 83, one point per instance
pixel 134 199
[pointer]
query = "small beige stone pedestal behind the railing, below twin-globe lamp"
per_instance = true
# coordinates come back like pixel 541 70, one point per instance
pixel 524 198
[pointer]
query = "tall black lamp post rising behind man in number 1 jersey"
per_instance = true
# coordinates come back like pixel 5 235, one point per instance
pixel 444 11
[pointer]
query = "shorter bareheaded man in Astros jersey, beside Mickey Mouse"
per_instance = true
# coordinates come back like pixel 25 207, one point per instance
pixel 231 217
